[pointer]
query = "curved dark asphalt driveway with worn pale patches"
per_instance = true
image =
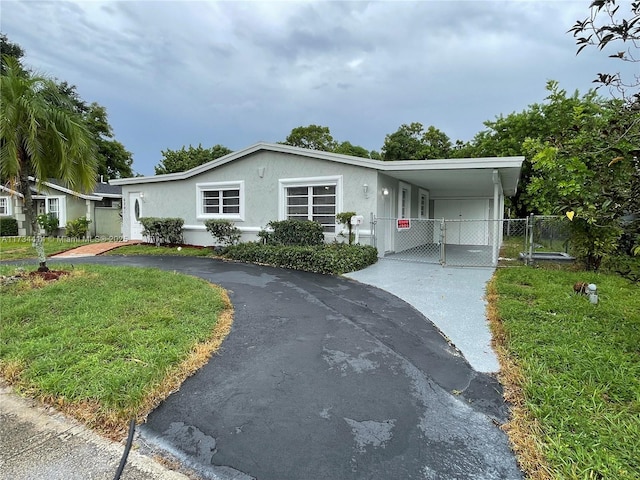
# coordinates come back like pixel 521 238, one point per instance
pixel 325 378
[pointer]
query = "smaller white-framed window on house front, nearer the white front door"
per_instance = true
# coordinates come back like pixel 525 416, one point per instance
pixel 220 200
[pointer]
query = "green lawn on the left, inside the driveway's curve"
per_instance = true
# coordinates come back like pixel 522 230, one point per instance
pixel 103 336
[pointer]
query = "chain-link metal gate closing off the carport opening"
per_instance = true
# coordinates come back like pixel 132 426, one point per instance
pixel 473 243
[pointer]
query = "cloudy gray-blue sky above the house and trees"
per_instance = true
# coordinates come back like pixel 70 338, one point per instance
pixel 174 73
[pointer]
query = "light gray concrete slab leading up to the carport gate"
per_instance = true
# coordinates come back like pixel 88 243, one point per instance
pixel 452 298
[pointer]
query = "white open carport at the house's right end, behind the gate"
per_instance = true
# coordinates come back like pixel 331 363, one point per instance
pixel 459 215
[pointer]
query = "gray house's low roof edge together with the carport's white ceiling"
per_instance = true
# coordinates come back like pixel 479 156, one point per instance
pixel 442 177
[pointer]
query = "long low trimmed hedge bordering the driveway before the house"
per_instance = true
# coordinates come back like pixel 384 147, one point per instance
pixel 334 258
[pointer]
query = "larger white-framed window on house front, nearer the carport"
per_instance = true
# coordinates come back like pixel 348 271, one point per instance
pixel 315 199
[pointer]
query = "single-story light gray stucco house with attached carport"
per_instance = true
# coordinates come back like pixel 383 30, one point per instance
pixel 400 201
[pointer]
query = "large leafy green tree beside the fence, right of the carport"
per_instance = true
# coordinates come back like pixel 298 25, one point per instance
pixel 573 172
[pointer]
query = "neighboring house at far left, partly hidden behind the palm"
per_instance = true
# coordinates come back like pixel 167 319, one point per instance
pixel 102 206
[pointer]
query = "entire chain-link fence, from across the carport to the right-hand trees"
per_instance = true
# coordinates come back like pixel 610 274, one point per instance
pixel 468 243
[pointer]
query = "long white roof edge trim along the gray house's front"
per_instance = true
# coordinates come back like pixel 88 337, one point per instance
pixel 380 165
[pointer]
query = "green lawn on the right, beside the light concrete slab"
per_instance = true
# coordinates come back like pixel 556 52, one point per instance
pixel 581 365
